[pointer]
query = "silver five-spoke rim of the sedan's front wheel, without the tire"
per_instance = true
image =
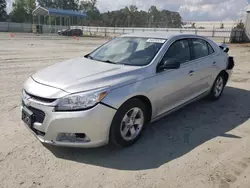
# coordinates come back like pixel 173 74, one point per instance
pixel 132 124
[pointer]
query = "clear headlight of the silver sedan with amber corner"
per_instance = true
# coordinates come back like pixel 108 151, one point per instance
pixel 80 101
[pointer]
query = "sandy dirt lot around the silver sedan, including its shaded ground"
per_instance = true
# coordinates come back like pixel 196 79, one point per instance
pixel 203 145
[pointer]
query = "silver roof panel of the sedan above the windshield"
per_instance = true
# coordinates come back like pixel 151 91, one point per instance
pixel 157 34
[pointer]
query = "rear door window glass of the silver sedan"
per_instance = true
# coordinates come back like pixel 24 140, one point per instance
pixel 200 48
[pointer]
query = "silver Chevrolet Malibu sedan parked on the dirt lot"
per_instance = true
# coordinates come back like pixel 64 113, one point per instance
pixel 111 94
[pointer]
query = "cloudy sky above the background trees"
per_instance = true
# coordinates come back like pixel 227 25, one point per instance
pixel 189 9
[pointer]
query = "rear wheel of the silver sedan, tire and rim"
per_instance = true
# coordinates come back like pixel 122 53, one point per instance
pixel 218 87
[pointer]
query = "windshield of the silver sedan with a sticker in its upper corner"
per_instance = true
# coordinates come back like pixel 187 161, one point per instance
pixel 128 51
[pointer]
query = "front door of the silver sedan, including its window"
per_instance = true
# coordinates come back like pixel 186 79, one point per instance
pixel 174 87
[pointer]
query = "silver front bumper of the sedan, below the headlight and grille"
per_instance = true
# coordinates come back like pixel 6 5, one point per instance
pixel 94 123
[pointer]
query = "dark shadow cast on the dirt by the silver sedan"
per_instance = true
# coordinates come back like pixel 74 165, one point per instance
pixel 171 137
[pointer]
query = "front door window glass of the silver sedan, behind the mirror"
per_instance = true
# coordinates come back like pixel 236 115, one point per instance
pixel 179 50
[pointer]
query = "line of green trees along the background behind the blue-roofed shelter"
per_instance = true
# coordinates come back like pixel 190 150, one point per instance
pixel 129 16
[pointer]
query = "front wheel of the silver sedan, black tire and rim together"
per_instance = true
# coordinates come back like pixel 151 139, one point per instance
pixel 128 123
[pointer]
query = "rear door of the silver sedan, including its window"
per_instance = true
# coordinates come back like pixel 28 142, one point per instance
pixel 205 57
